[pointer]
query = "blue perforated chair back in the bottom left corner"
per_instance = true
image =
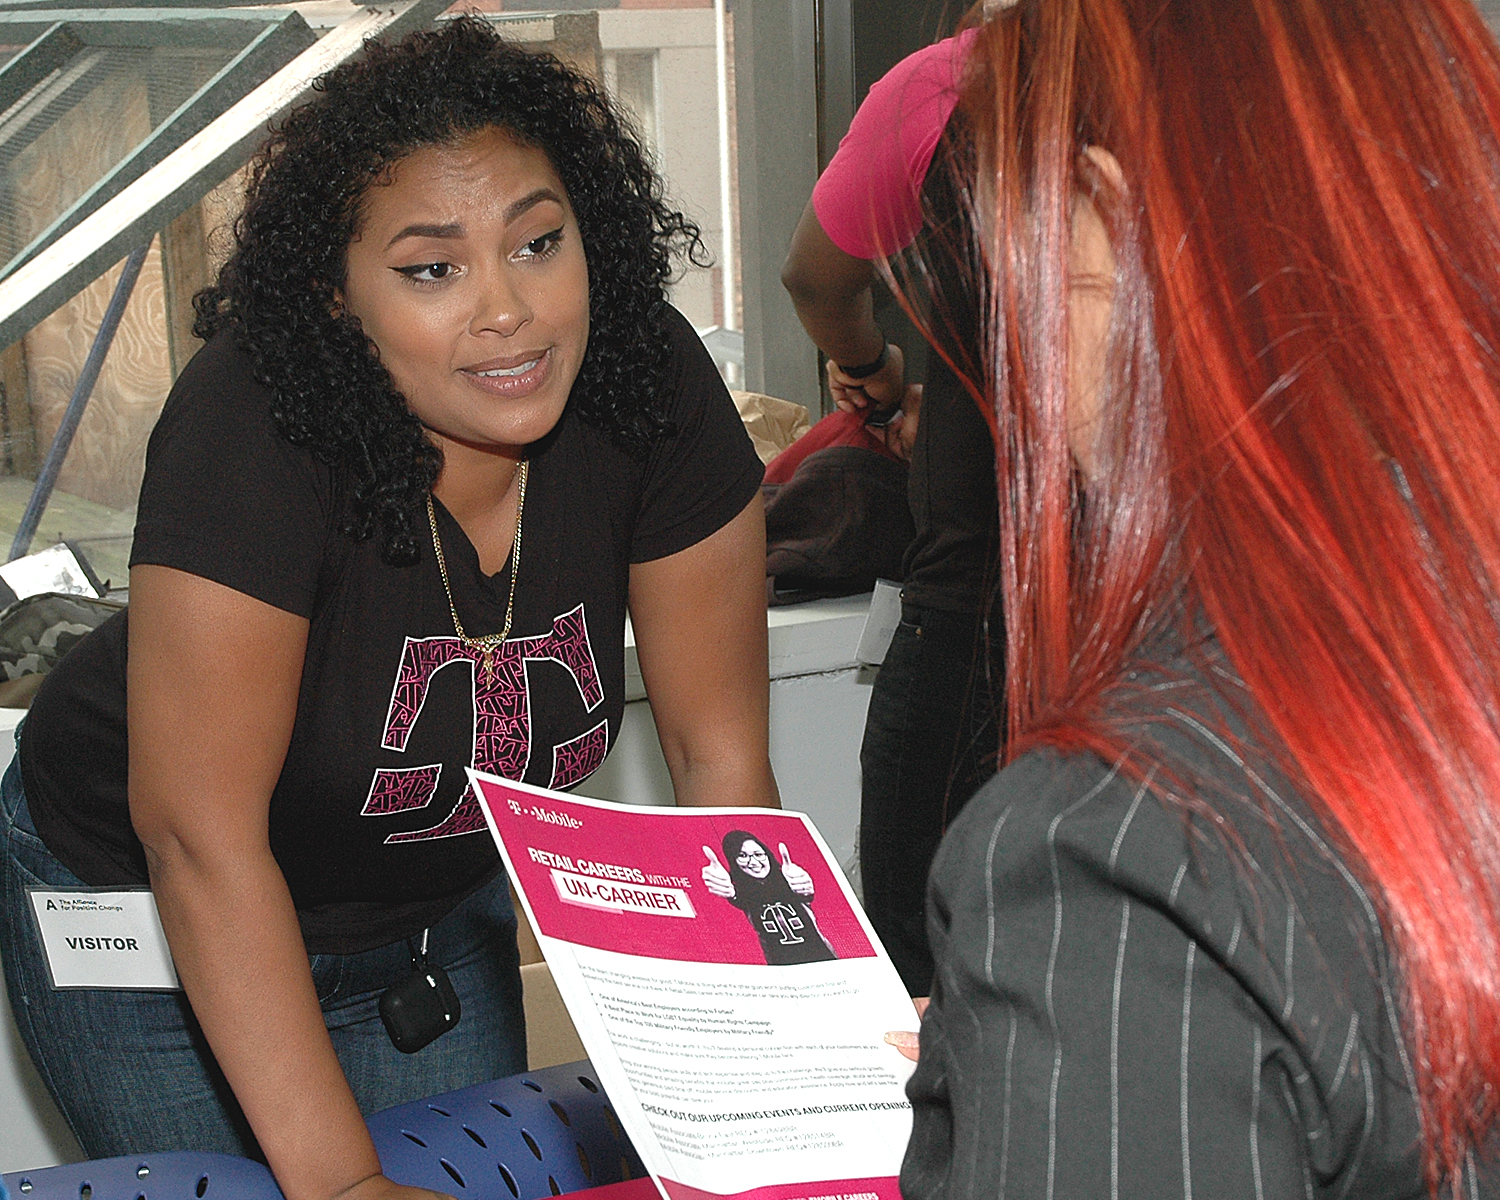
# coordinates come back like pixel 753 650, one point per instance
pixel 184 1175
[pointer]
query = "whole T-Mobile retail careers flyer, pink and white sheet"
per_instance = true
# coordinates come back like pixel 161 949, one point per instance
pixel 728 988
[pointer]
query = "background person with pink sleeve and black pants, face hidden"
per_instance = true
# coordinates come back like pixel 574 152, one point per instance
pixel 931 739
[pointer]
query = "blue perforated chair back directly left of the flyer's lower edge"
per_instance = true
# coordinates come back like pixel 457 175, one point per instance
pixel 532 1136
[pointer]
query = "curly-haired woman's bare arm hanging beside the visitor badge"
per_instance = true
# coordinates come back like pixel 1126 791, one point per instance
pixel 212 691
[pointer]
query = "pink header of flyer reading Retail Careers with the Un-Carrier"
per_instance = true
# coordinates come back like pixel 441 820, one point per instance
pixel 737 889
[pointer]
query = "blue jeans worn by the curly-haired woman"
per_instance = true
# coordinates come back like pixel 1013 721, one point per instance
pixel 133 1073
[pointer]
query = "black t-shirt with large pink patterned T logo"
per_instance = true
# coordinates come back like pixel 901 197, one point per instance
pixel 373 820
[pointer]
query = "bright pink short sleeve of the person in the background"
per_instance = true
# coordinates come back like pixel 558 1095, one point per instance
pixel 869 197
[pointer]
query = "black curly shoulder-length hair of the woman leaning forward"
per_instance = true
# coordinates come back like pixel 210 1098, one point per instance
pixel 304 206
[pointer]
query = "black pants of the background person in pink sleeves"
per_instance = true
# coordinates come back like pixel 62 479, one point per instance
pixel 931 740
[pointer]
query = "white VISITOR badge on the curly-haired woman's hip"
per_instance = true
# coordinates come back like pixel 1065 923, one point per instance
pixel 104 940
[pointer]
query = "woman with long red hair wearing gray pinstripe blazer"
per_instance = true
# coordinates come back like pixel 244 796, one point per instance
pixel 1229 920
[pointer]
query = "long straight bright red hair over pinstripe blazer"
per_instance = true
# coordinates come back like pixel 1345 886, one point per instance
pixel 1301 433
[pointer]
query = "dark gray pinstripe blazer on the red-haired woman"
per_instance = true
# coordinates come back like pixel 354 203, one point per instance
pixel 1130 1007
